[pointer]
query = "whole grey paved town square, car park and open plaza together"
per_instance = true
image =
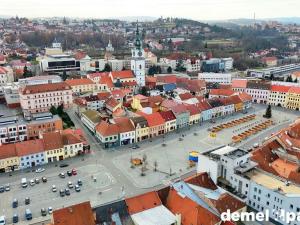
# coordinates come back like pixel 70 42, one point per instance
pixel 112 168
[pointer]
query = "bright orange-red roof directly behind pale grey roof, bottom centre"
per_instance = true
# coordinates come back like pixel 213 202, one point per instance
pixel 142 202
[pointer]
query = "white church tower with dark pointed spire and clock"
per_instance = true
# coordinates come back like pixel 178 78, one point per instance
pixel 138 60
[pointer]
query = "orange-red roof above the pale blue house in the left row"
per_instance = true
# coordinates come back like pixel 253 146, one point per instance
pixel 29 147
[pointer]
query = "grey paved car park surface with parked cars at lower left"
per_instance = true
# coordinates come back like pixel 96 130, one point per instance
pixel 42 196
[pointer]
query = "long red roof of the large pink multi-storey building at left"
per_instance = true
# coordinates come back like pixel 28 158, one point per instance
pixel 42 88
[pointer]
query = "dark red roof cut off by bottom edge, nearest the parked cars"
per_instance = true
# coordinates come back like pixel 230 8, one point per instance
pixel 80 214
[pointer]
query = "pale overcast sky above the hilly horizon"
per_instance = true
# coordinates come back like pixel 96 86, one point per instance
pixel 195 9
